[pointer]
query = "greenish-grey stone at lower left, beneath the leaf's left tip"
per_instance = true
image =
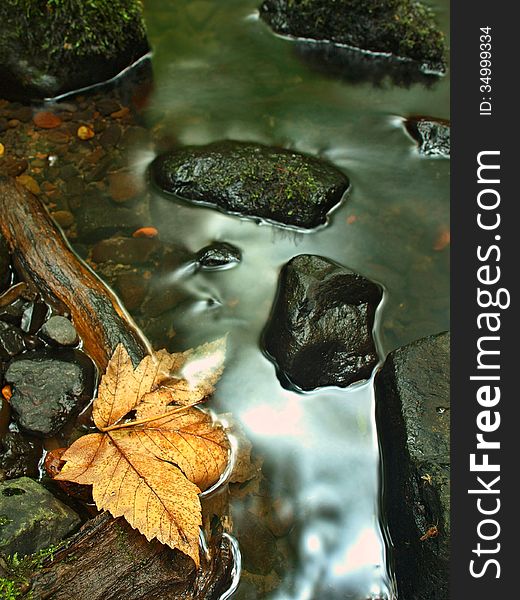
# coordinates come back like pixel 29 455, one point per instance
pixel 32 518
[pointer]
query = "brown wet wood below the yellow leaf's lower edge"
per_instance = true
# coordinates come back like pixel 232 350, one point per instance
pixel 108 560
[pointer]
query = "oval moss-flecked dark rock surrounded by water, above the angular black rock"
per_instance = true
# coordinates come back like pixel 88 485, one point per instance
pixel 253 180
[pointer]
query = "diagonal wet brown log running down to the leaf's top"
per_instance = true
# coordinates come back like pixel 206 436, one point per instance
pixel 47 264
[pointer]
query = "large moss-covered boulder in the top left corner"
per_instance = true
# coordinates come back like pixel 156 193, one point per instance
pixel 51 47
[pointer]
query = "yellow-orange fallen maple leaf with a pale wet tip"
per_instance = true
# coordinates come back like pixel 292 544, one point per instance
pixel 150 469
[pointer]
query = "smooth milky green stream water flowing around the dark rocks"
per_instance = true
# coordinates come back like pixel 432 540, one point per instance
pixel 313 527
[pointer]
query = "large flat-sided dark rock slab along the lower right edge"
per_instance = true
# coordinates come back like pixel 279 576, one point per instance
pixel 413 416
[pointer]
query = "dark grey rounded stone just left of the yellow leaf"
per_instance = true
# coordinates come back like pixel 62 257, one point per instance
pixel 48 387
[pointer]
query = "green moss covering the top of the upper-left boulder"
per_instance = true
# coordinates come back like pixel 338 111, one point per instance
pixel 66 28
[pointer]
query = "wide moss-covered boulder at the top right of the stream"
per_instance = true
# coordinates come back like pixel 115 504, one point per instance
pixel 403 28
